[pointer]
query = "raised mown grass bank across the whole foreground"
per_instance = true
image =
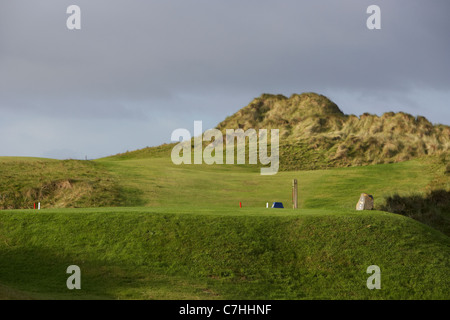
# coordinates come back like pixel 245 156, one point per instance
pixel 221 253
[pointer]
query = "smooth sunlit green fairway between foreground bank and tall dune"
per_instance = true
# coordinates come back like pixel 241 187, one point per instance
pixel 158 182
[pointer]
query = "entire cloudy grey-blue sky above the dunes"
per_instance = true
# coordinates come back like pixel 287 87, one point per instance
pixel 137 70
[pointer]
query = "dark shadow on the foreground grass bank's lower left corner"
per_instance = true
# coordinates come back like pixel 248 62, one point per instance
pixel 41 274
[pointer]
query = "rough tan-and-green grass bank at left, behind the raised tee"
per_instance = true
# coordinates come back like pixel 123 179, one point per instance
pixel 67 183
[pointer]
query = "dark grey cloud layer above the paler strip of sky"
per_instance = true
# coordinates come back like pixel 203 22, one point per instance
pixel 141 49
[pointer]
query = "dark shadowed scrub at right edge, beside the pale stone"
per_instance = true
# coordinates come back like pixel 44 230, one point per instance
pixel 432 209
